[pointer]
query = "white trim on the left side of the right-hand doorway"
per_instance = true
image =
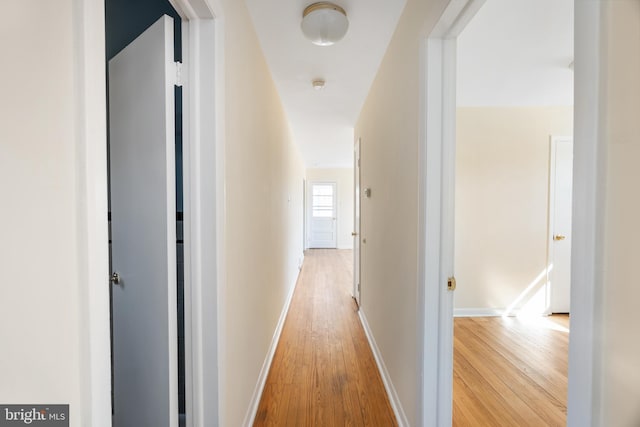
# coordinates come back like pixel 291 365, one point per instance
pixel 436 204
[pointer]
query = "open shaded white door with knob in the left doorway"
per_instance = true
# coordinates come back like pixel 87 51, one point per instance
pixel 143 226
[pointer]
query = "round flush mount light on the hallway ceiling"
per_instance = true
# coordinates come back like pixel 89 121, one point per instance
pixel 324 23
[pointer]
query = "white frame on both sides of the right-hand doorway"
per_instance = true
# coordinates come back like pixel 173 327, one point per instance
pixel 437 212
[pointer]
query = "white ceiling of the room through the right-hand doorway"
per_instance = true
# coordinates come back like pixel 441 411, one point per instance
pixel 517 53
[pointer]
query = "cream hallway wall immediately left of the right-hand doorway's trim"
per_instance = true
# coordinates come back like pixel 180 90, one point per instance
pixel 389 126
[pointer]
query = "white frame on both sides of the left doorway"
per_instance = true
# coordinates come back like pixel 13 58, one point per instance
pixel 203 147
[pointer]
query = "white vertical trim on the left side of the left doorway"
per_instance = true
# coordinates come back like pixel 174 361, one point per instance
pixel 91 169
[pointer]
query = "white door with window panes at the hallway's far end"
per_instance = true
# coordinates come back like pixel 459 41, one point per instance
pixel 322 221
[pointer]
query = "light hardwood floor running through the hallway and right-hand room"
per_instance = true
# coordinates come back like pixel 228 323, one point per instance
pixel 507 372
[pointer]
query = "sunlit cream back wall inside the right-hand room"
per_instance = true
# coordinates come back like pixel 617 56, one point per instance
pixel 502 183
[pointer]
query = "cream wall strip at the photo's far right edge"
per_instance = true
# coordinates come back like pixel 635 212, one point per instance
pixel 620 350
